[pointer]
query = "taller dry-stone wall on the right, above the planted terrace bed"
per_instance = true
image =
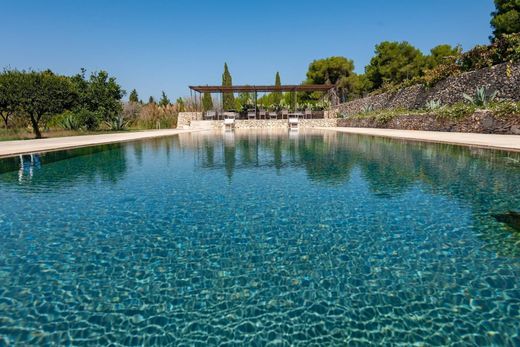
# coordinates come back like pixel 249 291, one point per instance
pixel 448 91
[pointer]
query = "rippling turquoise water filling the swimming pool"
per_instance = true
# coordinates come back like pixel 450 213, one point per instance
pixel 255 238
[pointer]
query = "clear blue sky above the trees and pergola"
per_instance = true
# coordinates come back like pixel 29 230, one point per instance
pixel 168 45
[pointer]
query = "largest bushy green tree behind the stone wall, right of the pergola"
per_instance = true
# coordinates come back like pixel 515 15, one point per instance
pixel 393 63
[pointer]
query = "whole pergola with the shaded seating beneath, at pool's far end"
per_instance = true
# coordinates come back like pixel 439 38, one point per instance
pixel 256 112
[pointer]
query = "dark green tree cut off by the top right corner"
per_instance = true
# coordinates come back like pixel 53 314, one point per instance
pixel 506 18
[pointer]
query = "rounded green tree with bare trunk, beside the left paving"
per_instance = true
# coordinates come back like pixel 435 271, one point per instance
pixel 41 94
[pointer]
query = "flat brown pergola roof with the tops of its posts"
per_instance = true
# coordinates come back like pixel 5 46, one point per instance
pixel 255 89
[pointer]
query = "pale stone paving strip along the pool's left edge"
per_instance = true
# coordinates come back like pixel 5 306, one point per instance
pixel 21 147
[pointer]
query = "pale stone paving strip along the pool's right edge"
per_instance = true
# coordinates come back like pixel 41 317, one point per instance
pixel 510 143
